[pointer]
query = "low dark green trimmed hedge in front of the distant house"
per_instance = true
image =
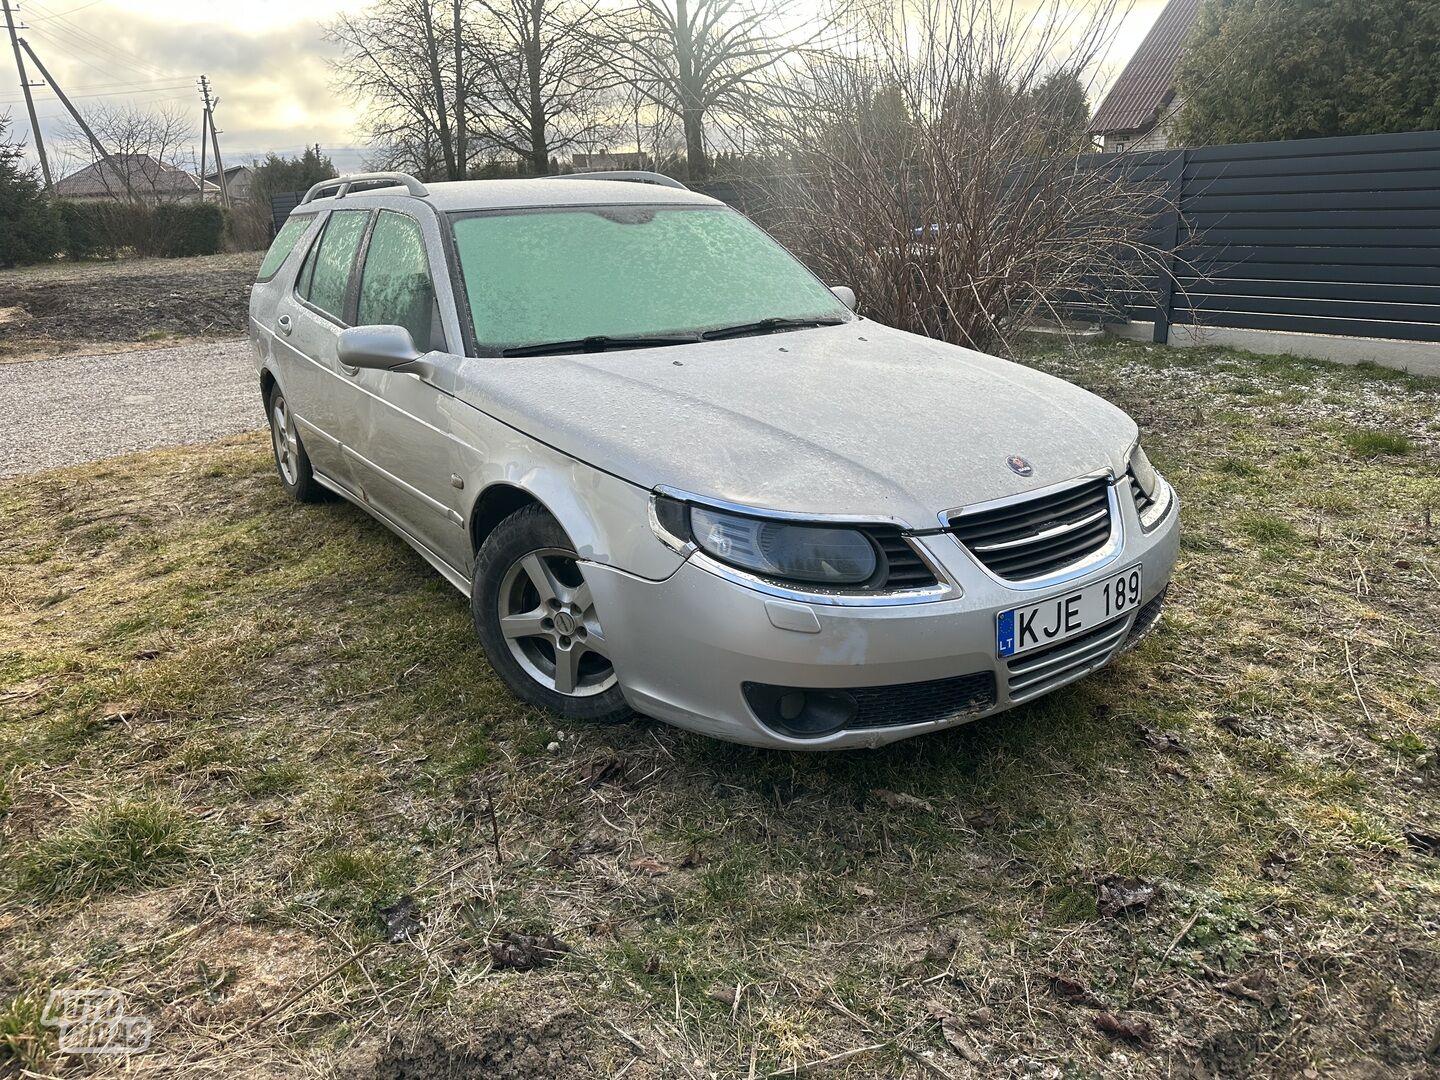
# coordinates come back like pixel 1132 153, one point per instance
pixel 106 228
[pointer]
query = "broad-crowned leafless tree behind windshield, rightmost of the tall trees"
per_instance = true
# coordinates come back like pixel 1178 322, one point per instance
pixel 698 60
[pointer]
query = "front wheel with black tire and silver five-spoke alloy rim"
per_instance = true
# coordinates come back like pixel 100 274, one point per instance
pixel 535 617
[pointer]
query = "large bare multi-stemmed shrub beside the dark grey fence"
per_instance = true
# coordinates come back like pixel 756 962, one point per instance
pixel 938 169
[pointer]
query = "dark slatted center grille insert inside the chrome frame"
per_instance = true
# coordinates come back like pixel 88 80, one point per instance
pixel 1040 536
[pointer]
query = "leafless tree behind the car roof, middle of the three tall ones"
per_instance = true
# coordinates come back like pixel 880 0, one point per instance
pixel 541 89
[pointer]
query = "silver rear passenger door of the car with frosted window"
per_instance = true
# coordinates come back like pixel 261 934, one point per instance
pixel 309 320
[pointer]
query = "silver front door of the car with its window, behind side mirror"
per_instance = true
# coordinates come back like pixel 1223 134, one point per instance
pixel 410 454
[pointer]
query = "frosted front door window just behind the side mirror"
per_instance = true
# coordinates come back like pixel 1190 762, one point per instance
pixel 397 286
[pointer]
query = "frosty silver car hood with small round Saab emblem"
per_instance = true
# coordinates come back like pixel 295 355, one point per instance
pixel 855 420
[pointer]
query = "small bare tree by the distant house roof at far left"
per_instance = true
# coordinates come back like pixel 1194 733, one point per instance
pixel 150 153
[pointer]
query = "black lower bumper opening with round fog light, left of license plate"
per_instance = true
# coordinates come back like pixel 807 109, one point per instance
pixel 814 714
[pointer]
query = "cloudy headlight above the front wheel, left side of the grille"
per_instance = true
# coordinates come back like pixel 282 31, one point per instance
pixel 811 555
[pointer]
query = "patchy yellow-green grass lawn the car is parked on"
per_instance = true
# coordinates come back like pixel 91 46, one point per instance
pixel 234 731
